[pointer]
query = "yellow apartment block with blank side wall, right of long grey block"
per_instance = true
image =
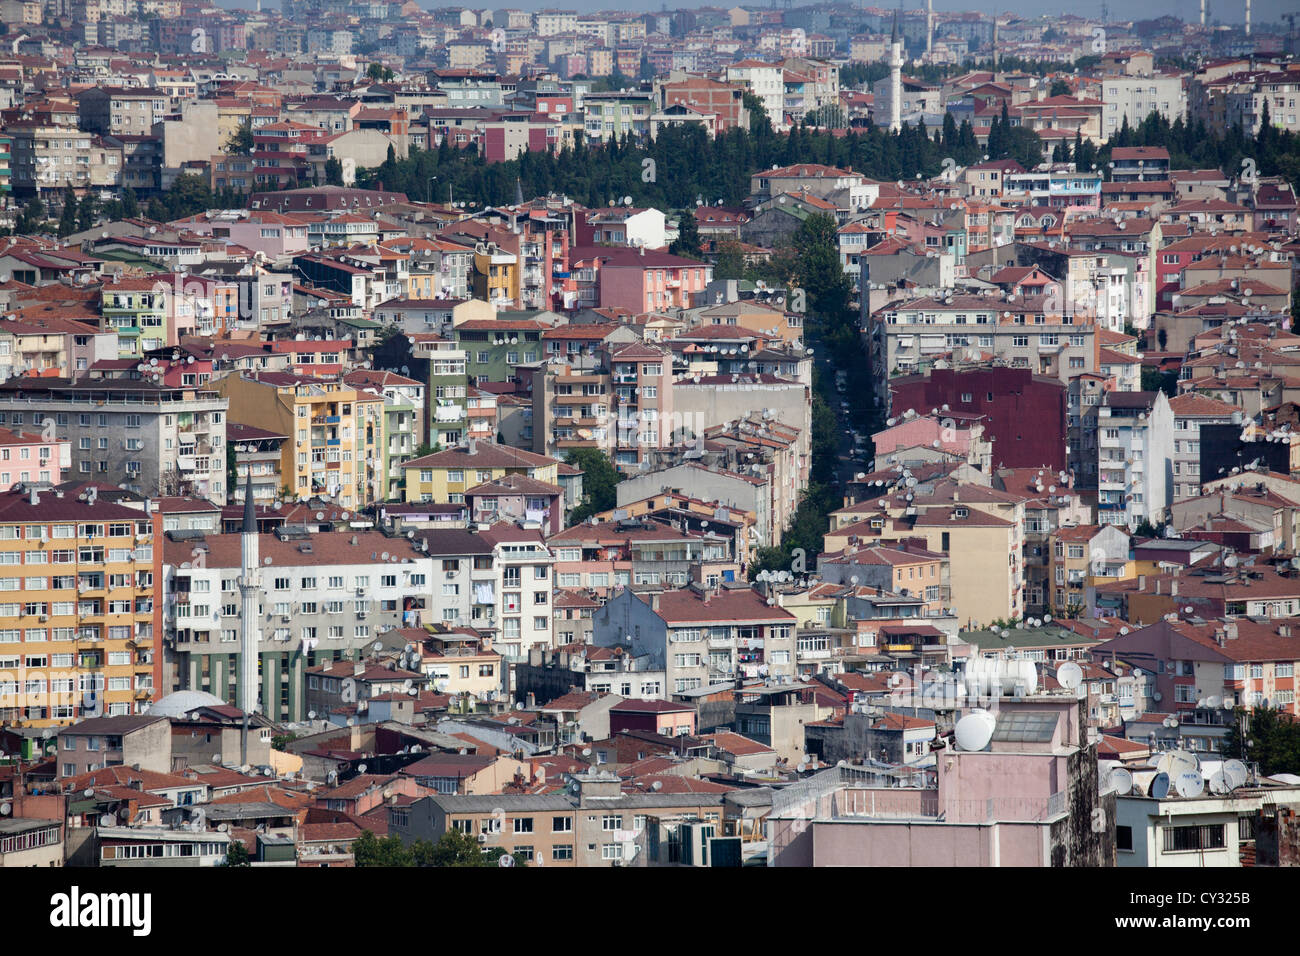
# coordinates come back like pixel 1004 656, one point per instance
pixel 336 432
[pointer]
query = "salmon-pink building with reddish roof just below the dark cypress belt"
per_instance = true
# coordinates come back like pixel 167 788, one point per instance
pixel 638 280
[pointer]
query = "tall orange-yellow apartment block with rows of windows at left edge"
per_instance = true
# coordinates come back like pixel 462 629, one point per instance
pixel 77 615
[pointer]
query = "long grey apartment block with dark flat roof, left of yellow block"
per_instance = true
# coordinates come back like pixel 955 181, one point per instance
pixel 151 438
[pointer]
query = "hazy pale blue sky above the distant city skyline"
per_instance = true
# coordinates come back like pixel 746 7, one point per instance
pixel 1224 11
